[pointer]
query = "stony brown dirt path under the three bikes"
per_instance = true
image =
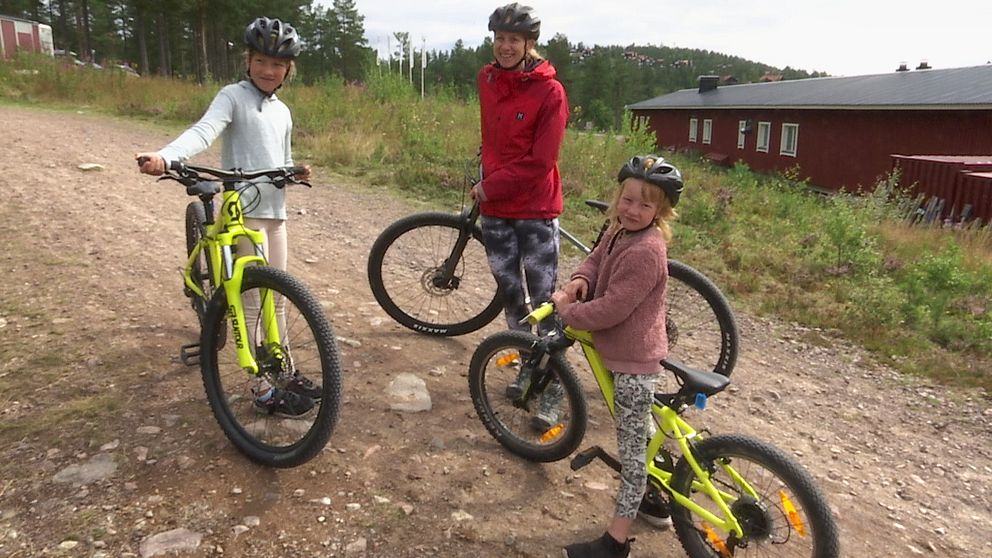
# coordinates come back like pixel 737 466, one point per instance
pixel 92 315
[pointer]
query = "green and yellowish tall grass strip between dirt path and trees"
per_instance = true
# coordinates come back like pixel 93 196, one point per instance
pixel 921 298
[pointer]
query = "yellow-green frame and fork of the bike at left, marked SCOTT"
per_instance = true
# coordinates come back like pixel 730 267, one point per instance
pixel 219 242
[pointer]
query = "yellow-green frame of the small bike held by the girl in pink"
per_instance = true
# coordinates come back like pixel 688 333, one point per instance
pixel 670 425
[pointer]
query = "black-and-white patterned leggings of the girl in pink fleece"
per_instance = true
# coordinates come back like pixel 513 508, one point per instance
pixel 632 400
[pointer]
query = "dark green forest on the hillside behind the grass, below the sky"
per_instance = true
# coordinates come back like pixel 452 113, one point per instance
pixel 202 40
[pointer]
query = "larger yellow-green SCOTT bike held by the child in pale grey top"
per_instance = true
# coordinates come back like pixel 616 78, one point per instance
pixel 260 326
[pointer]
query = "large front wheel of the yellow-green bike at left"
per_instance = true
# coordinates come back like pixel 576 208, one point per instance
pixel 307 350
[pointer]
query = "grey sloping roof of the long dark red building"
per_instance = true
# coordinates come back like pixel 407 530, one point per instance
pixel 952 88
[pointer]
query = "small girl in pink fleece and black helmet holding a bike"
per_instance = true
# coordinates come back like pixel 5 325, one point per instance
pixel 624 280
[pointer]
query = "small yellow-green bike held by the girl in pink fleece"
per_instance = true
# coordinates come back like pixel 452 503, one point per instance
pixel 730 495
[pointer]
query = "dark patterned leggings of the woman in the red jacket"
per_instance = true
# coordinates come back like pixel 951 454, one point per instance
pixel 532 243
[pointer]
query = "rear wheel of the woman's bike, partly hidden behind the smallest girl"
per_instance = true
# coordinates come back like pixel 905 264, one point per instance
pixel 702 331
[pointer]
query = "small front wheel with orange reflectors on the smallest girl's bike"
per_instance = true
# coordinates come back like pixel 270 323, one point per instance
pixel 549 425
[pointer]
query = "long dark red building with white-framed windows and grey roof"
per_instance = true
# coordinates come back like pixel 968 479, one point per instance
pixel 839 131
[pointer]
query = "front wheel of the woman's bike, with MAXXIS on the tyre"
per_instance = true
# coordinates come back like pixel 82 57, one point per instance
pixel 406 275
